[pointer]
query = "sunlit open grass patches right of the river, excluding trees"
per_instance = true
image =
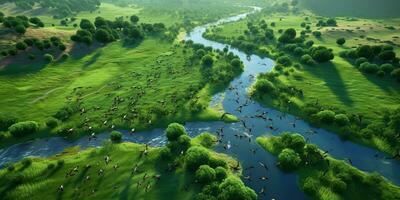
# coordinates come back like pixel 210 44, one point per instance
pixel 337 83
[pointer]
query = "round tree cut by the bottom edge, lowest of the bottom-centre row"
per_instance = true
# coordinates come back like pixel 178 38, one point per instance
pixel 233 188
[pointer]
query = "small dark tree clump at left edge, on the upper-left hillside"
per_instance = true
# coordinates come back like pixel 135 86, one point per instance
pixel 20 23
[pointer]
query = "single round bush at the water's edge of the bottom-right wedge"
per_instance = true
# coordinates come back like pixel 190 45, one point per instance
pixel 289 160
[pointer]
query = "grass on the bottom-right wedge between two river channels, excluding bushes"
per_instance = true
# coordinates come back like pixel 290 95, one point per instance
pixel 336 180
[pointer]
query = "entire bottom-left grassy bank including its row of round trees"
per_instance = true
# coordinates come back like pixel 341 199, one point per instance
pixel 128 171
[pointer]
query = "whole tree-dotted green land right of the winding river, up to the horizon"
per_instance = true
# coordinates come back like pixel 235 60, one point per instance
pixel 315 73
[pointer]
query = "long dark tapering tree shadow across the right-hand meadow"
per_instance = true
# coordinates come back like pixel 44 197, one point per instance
pixel 329 73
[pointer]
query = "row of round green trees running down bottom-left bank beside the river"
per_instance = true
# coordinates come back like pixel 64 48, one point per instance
pixel 210 172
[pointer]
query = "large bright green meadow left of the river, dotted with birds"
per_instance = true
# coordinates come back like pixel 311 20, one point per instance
pixel 143 86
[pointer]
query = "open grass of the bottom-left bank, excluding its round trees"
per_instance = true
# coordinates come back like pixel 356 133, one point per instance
pixel 120 179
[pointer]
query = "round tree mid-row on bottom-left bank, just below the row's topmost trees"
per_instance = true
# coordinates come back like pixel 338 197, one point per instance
pixel 195 157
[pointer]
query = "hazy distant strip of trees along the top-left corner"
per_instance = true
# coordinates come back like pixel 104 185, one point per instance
pixel 62 8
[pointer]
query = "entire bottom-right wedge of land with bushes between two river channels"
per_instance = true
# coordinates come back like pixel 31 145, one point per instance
pixel 323 177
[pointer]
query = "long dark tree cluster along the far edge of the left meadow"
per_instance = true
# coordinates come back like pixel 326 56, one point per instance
pixel 105 31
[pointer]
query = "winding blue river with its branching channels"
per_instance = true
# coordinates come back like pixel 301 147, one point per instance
pixel 279 185
